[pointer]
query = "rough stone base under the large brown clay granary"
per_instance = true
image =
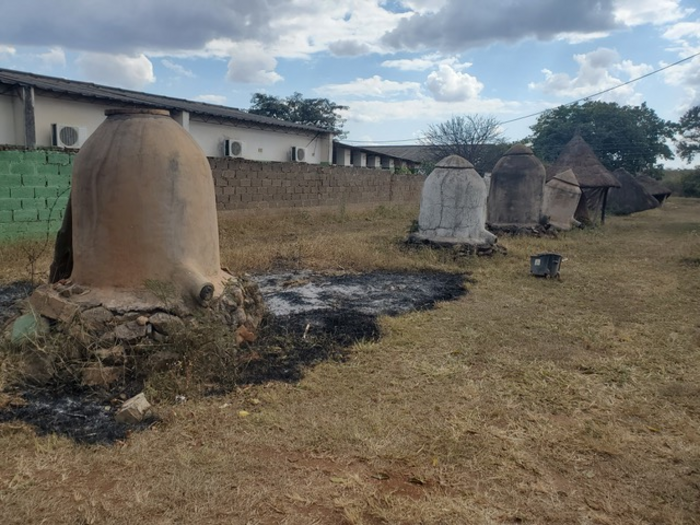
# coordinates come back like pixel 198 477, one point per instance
pixel 113 325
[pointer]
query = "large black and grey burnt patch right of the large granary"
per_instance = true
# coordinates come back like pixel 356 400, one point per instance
pixel 316 317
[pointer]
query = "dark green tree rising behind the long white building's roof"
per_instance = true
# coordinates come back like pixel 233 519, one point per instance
pixel 318 112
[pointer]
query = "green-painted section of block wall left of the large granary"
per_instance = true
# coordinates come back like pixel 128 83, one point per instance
pixel 34 186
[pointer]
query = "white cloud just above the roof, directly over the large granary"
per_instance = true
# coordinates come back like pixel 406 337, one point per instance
pixel 117 70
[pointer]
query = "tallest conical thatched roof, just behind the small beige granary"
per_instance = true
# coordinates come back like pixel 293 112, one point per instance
pixel 578 156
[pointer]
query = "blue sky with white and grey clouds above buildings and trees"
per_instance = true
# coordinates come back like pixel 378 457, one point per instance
pixel 399 65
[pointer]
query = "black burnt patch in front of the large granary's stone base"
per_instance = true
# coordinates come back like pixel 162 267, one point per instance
pixel 79 418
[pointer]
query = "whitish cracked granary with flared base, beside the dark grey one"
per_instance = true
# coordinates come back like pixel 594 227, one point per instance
pixel 453 206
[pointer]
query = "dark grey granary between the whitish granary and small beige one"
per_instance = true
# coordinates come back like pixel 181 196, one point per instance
pixel 517 189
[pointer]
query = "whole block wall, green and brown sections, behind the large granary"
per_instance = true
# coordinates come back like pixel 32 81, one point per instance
pixel 35 184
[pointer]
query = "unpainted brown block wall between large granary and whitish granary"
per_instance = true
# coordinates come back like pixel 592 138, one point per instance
pixel 247 185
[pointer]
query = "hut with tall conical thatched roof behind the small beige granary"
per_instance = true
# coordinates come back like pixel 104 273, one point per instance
pixel 594 179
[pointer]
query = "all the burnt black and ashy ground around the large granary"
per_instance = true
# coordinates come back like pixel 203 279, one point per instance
pixel 313 318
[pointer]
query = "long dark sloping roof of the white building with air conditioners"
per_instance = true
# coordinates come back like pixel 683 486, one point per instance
pixel 62 87
